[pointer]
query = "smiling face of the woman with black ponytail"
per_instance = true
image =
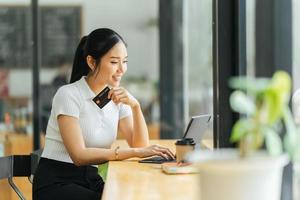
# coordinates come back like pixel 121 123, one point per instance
pixel 112 66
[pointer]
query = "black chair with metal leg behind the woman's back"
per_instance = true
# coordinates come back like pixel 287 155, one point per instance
pixel 19 166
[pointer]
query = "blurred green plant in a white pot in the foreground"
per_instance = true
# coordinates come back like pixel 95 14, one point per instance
pixel 249 172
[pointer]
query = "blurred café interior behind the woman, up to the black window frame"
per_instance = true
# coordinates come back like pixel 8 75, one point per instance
pixel 29 81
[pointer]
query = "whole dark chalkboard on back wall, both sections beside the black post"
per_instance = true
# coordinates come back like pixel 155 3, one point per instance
pixel 60 33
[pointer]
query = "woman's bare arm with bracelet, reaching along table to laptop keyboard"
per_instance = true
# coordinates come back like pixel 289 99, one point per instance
pixel 81 155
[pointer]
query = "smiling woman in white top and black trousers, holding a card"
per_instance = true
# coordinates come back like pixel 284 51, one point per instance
pixel 79 134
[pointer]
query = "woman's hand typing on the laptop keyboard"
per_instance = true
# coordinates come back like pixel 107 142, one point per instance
pixel 153 150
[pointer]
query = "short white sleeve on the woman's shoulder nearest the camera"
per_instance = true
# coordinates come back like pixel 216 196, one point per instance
pixel 66 102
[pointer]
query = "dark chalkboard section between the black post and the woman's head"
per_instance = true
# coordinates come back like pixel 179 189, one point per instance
pixel 60 33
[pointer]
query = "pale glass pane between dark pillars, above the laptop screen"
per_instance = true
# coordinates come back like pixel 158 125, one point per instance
pixel 199 56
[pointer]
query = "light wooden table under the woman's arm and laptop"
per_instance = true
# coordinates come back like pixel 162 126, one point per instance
pixel 132 180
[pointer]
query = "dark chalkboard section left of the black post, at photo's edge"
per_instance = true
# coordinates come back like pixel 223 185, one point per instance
pixel 15 37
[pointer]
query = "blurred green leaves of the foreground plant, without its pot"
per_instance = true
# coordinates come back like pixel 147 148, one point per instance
pixel 264 105
